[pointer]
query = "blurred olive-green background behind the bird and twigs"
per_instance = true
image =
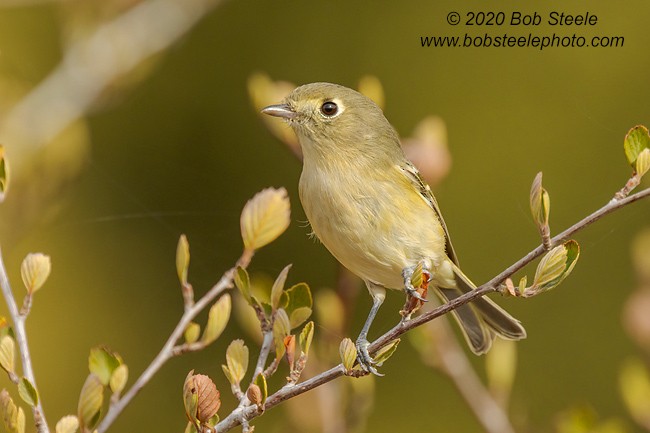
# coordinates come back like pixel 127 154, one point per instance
pixel 176 147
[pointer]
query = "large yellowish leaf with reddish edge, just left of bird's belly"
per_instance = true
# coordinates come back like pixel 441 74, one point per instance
pixel 265 217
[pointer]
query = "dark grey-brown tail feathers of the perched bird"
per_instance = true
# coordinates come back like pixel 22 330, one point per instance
pixel 481 320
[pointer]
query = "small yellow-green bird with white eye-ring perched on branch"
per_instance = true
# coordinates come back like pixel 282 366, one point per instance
pixel 369 206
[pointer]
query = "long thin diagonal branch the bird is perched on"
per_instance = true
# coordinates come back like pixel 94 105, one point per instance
pixel 288 391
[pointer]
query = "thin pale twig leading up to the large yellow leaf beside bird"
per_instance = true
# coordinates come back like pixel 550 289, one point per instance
pixel 170 349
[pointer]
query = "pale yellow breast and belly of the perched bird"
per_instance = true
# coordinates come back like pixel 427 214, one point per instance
pixel 374 226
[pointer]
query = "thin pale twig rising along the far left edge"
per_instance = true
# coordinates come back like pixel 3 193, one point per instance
pixel 21 339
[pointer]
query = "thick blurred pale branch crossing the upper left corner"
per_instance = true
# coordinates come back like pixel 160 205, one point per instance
pixel 90 65
